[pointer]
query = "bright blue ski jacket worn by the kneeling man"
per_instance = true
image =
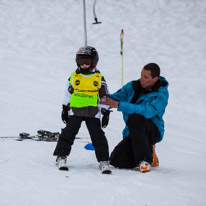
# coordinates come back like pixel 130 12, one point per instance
pixel 150 103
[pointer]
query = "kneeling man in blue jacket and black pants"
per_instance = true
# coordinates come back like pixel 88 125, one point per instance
pixel 143 104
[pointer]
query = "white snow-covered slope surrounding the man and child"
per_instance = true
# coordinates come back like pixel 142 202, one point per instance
pixel 38 41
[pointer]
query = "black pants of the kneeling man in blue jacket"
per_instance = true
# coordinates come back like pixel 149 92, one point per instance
pixel 138 146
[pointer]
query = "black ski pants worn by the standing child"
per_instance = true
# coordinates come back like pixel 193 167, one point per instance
pixel 69 133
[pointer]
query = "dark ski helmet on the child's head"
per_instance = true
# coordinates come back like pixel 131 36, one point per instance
pixel 88 51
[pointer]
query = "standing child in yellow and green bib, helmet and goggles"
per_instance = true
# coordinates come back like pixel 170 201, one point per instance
pixel 84 89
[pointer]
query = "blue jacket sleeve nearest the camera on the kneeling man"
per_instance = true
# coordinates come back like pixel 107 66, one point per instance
pixel 148 108
